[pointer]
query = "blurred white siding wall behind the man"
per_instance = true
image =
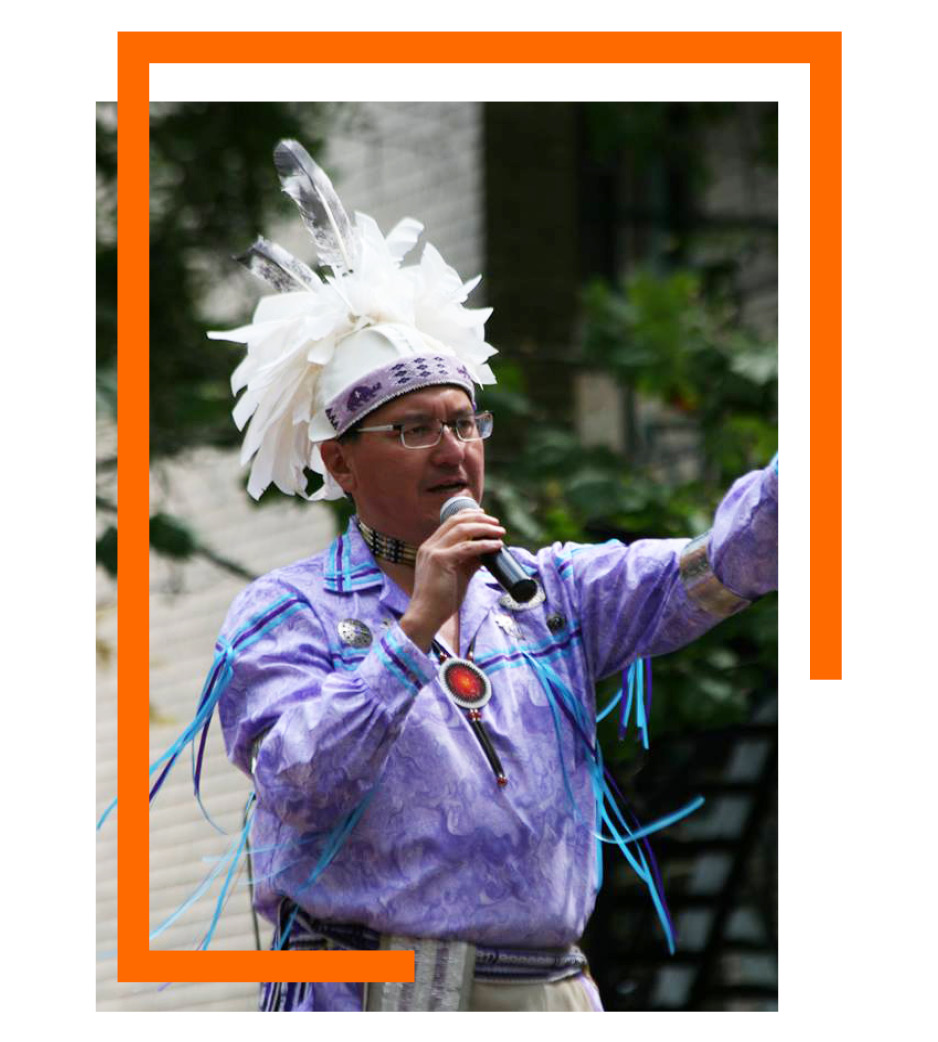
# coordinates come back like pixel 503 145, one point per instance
pixel 390 161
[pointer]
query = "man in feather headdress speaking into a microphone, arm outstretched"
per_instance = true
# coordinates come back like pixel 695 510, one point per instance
pixel 423 746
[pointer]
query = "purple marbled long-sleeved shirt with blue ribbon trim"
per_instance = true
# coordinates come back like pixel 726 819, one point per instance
pixel 440 851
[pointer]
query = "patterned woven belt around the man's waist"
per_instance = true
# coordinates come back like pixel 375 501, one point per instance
pixel 443 971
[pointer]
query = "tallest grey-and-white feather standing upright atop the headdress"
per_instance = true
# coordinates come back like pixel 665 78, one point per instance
pixel 322 209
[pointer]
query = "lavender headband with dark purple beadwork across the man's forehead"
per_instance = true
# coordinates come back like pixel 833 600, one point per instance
pixel 399 379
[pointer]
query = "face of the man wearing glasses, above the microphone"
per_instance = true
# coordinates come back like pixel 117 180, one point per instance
pixel 398 490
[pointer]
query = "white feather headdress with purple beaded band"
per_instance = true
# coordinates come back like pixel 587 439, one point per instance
pixel 326 352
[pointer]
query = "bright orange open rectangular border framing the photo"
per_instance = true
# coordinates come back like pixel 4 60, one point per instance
pixel 136 52
